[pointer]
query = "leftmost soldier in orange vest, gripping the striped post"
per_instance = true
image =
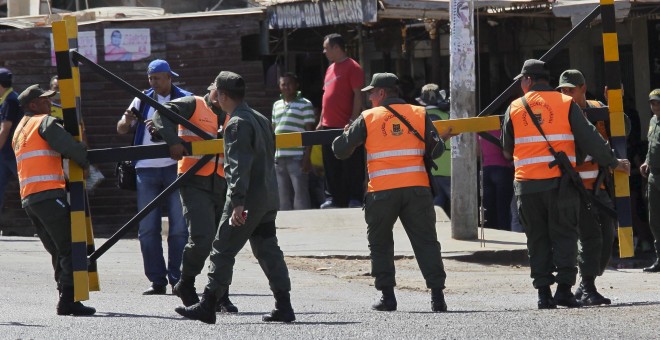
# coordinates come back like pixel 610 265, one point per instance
pixel 40 142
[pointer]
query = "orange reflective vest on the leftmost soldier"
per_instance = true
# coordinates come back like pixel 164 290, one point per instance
pixel 39 166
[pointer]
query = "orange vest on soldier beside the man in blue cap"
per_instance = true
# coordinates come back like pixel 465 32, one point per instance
pixel 205 119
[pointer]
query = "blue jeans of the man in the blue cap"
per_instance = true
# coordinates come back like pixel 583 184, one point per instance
pixel 150 183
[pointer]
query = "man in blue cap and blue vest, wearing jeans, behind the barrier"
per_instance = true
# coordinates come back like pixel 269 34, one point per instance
pixel 153 176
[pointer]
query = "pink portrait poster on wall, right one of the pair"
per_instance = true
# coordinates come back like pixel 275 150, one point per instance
pixel 126 44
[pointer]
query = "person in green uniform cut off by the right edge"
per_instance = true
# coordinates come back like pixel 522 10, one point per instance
pixel 651 170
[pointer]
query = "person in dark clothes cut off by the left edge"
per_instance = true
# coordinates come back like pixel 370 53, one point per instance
pixel 10 114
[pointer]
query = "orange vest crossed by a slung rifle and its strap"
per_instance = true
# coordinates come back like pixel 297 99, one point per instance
pixel 530 154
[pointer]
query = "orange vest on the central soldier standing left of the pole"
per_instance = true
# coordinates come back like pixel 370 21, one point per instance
pixel 395 157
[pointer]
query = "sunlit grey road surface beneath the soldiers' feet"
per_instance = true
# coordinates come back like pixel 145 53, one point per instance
pixel 485 300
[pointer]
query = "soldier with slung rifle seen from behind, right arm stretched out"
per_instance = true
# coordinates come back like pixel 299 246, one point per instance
pixel 549 204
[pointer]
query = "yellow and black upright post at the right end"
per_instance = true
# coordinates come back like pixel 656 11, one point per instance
pixel 617 126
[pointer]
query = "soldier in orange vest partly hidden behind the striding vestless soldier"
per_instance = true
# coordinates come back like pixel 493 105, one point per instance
pixel 203 195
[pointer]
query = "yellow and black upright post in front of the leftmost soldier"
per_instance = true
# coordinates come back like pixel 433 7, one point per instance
pixel 85 277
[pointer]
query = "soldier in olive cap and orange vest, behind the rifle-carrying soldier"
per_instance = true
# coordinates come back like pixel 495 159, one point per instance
pixel 596 235
